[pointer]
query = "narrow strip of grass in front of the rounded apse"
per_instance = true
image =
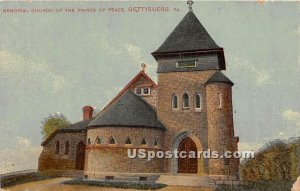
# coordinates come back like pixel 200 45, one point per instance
pixel 126 185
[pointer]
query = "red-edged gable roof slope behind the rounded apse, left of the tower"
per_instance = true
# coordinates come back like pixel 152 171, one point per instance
pixel 130 85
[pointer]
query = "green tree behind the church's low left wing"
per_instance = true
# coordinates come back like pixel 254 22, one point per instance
pixel 53 122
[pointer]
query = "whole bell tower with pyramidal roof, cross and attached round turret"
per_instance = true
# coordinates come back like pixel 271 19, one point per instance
pixel 194 97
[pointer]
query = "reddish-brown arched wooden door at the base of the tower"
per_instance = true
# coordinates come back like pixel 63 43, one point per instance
pixel 187 165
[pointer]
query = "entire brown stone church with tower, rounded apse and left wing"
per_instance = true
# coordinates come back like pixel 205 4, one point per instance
pixel 188 109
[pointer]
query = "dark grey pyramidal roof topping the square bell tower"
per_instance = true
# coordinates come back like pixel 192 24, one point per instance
pixel 189 35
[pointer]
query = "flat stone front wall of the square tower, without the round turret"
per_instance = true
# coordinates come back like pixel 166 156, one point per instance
pixel 183 120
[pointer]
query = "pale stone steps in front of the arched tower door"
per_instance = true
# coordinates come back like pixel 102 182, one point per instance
pixel 186 180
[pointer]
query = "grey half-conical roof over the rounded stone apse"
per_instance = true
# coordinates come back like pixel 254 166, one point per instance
pixel 129 110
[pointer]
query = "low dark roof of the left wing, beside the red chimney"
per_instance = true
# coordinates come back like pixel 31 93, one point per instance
pixel 80 126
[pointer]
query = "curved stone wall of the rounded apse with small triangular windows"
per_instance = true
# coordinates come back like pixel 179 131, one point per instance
pixel 108 158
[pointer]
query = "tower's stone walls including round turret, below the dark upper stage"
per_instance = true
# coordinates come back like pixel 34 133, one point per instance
pixel 200 125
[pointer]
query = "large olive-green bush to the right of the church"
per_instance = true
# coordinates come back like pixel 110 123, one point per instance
pixel 276 161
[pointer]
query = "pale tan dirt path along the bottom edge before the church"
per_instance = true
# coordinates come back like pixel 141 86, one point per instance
pixel 54 185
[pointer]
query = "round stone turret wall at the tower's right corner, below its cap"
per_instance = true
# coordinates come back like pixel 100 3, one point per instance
pixel 220 128
